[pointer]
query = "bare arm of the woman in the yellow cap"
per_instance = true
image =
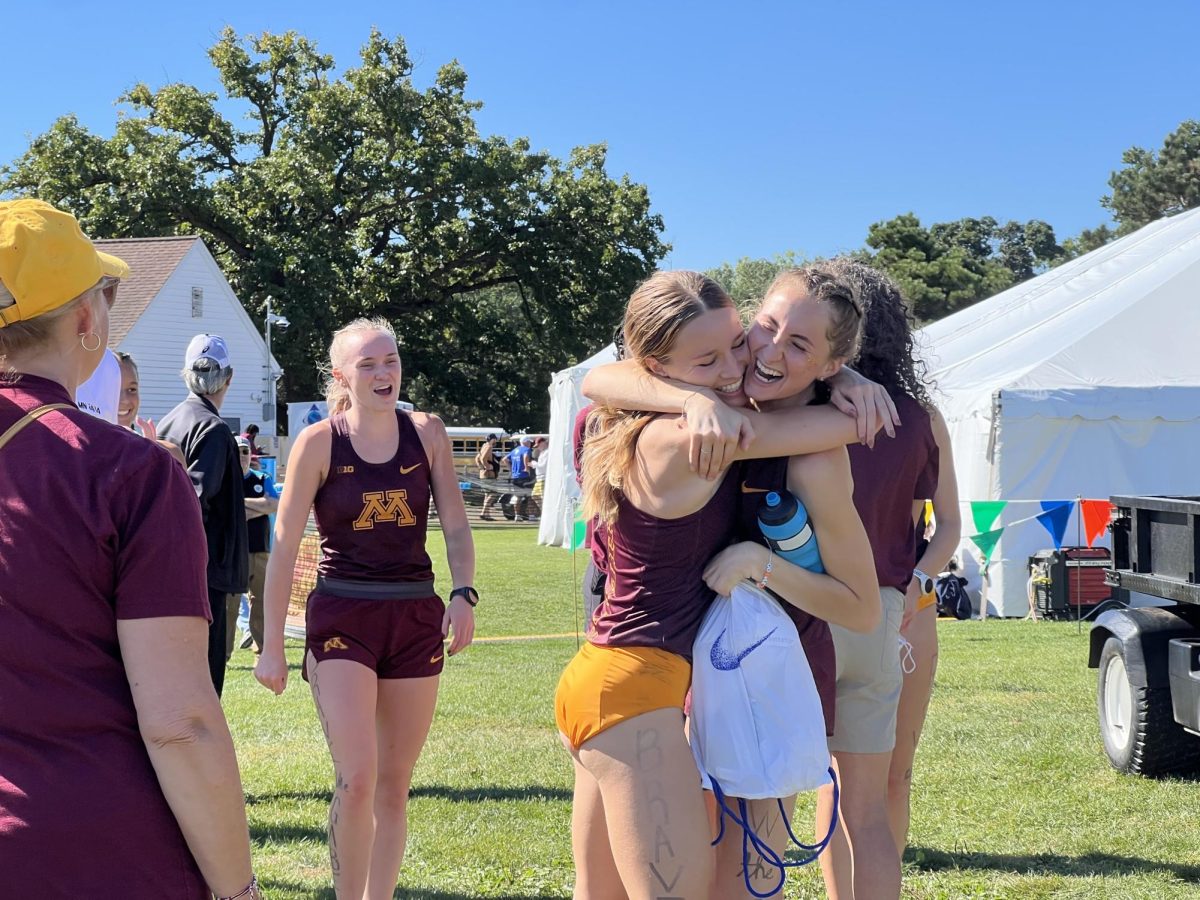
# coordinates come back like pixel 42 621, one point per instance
pixel 189 743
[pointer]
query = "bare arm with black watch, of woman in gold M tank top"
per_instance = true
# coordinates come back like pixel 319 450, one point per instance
pixel 460 616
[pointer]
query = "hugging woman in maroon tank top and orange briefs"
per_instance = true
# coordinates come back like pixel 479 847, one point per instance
pixel 640 826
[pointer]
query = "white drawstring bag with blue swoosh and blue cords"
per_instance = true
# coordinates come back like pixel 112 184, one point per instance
pixel 758 728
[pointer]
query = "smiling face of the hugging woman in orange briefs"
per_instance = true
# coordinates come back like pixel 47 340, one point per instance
pixel 709 352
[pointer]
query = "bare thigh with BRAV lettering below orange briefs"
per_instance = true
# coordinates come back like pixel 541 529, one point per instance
pixel 653 806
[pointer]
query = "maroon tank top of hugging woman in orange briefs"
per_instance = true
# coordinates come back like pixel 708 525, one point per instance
pixel 655 596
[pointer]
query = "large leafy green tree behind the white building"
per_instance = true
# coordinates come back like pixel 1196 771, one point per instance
pixel 361 194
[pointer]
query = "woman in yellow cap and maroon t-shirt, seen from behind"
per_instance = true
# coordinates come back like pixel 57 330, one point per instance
pixel 118 776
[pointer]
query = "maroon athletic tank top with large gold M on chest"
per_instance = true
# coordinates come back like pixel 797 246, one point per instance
pixel 373 517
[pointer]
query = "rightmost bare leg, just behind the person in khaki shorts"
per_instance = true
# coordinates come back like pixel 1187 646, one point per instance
pixel 919 687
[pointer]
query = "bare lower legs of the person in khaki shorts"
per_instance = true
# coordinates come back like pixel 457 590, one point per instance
pixel 873 857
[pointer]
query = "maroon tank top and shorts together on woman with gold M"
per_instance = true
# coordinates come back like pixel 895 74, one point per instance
pixel 375 602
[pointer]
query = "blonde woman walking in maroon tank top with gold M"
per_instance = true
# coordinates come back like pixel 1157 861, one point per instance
pixel 375 625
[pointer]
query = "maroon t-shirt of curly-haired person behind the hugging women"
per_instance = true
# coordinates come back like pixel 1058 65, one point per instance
pixel 887 481
